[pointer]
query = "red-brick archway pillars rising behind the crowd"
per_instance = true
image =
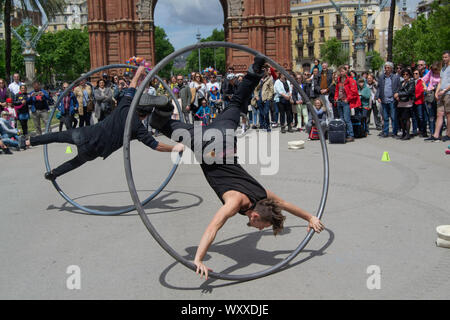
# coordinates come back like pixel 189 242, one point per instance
pixel 121 29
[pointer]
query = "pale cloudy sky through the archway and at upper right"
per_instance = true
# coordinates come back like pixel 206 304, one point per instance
pixel 181 19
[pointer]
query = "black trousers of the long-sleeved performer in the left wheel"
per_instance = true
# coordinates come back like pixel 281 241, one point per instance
pixel 74 137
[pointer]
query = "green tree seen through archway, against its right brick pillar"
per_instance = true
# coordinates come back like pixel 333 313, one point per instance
pixel 209 57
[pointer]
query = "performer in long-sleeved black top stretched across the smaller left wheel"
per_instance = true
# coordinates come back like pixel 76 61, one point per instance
pixel 105 137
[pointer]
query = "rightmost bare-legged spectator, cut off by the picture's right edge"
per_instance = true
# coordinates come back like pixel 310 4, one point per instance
pixel 443 100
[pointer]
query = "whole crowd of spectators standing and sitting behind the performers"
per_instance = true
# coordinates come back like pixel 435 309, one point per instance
pixel 413 101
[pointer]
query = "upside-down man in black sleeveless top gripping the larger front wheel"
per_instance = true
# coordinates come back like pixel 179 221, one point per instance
pixel 238 191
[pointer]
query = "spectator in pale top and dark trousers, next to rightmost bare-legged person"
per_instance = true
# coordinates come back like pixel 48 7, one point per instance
pixel 431 80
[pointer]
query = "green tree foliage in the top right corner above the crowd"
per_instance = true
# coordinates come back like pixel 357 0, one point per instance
pixel 425 39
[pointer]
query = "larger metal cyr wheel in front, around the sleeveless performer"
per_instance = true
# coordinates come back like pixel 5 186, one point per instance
pixel 135 197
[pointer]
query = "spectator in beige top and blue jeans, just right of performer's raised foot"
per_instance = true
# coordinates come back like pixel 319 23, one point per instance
pixel 263 94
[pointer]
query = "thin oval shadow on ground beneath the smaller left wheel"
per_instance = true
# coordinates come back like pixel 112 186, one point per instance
pixel 166 201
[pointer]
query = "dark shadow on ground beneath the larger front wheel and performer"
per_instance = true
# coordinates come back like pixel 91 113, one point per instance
pixel 245 253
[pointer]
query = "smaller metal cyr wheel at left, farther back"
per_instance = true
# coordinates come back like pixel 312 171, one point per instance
pixel 46 159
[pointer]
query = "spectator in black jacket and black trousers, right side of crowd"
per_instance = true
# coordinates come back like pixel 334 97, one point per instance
pixel 405 99
